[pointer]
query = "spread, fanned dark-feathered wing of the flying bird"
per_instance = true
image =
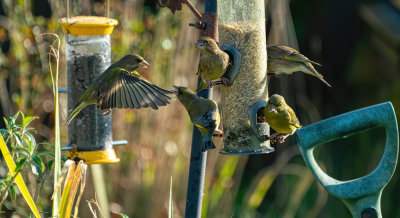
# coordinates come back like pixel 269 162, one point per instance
pixel 127 90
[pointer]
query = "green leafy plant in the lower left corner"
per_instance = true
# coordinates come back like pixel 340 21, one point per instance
pixel 23 148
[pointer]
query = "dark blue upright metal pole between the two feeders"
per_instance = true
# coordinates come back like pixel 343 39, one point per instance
pixel 198 159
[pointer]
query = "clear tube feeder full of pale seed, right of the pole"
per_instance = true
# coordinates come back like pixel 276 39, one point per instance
pixel 242 25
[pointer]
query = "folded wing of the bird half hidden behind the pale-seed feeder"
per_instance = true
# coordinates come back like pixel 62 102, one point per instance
pixel 287 53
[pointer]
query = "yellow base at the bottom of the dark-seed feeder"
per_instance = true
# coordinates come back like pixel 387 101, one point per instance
pixel 94 157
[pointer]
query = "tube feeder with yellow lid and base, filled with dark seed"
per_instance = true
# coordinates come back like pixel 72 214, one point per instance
pixel 88 53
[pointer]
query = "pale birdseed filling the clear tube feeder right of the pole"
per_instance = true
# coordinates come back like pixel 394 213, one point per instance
pixel 248 88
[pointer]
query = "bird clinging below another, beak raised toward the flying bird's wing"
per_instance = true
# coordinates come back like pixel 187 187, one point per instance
pixel 203 113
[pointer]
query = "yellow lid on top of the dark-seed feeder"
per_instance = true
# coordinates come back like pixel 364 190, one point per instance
pixel 88 25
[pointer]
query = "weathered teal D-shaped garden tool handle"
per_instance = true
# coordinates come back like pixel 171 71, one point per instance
pixel 362 195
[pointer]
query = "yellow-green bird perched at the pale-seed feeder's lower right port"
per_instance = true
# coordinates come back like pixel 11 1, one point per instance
pixel 281 118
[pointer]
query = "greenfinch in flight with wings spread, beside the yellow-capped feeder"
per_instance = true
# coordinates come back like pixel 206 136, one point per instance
pixel 120 86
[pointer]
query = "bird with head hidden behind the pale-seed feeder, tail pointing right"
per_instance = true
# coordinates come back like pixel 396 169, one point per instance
pixel 283 59
